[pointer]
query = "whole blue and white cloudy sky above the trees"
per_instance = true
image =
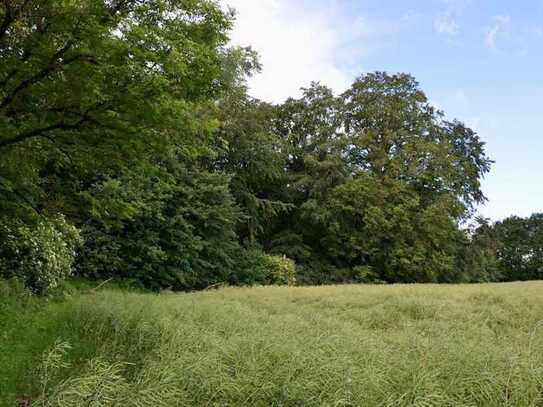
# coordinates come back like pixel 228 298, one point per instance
pixel 480 61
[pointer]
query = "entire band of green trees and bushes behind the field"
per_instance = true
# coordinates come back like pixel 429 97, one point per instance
pixel 130 149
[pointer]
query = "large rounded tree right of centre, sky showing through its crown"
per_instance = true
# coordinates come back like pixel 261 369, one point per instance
pixel 380 181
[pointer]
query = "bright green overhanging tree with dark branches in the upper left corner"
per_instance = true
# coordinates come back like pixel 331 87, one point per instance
pixel 94 83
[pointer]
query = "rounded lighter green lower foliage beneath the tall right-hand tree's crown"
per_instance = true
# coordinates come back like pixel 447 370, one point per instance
pixel 384 226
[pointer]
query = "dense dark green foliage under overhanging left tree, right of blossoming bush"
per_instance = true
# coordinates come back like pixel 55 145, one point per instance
pixel 174 229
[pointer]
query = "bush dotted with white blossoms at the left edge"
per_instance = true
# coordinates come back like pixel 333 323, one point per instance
pixel 40 253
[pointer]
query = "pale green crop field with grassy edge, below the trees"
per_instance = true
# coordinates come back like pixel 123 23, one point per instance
pixel 401 345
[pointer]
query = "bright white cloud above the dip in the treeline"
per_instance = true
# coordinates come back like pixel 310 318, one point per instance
pixel 295 46
